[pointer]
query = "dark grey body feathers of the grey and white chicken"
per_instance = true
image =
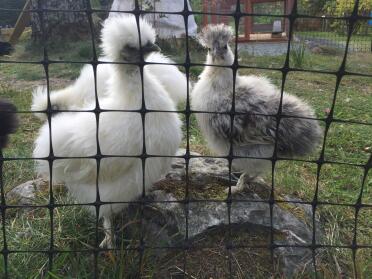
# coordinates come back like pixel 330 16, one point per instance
pixel 256 123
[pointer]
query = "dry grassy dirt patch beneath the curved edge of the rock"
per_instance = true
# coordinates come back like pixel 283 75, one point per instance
pixel 210 256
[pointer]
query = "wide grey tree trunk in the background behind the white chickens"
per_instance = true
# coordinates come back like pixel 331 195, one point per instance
pixel 59 25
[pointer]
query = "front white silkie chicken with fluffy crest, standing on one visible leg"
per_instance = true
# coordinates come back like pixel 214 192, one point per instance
pixel 119 133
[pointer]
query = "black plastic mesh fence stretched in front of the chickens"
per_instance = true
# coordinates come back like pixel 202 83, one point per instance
pixel 272 200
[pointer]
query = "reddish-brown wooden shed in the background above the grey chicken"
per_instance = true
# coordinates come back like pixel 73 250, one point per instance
pixel 252 28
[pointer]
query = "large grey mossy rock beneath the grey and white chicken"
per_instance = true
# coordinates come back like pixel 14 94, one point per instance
pixel 164 212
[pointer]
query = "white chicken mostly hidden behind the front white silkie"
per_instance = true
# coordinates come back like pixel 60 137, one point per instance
pixel 82 92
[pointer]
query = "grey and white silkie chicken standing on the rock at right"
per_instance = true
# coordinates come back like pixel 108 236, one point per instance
pixel 257 101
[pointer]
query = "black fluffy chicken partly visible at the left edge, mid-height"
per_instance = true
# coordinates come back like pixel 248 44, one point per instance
pixel 8 121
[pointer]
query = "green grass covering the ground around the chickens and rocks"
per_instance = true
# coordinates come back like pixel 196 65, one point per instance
pixel 75 229
